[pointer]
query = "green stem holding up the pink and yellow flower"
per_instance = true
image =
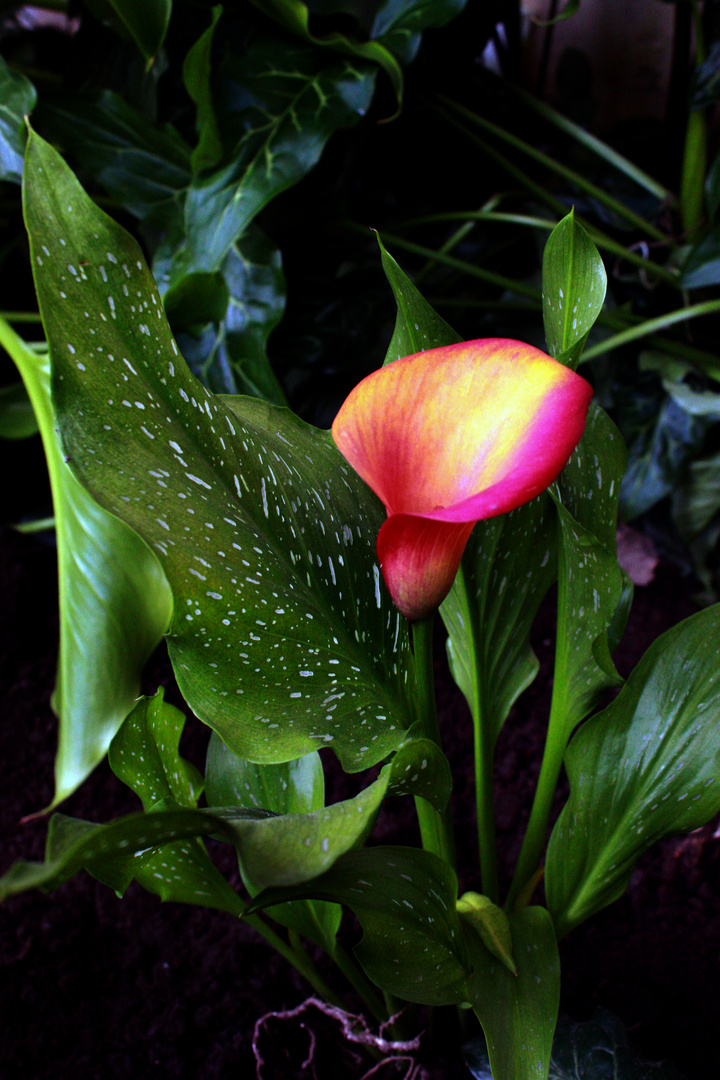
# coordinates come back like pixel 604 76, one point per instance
pixel 436 829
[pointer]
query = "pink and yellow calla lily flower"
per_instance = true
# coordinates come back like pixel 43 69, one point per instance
pixel 449 438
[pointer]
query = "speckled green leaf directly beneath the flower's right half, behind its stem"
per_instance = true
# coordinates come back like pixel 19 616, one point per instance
pixel 509 566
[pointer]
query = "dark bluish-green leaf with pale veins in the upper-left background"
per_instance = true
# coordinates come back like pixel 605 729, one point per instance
pixel 290 106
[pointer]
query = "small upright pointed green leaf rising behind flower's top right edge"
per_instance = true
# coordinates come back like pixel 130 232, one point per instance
pixel 575 285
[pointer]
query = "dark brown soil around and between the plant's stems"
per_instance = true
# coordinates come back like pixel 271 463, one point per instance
pixel 98 987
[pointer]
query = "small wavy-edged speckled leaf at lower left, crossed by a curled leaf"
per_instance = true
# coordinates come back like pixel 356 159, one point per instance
pixel 145 755
